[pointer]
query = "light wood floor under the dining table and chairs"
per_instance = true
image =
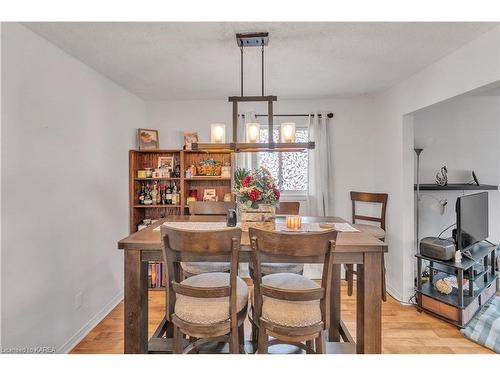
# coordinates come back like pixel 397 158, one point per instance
pixel 404 330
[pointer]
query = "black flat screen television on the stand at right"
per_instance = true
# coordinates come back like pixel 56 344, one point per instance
pixel 472 219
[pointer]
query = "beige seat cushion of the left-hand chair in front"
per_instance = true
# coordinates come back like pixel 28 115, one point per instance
pixel 209 310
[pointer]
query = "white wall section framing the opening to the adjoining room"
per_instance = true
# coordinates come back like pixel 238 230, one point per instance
pixel 474 65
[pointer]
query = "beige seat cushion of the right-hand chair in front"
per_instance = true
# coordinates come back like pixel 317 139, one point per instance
pixel 290 313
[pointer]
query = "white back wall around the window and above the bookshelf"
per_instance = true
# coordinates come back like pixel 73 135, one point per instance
pixel 348 129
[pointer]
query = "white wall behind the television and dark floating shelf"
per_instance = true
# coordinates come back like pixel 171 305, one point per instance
pixel 462 134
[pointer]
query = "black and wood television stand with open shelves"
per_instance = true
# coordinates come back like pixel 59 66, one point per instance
pixel 460 306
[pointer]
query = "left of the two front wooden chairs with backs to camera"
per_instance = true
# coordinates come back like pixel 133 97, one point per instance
pixel 209 306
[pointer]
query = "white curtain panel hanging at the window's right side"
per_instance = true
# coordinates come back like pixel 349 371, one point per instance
pixel 319 188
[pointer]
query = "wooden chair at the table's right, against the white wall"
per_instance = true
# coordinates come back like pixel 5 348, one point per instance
pixel 378 232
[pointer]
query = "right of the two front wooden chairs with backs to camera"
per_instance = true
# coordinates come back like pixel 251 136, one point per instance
pixel 289 307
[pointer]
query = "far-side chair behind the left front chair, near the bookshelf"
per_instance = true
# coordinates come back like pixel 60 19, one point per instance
pixel 206 208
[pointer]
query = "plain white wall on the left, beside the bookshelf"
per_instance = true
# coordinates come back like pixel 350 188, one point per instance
pixel 64 191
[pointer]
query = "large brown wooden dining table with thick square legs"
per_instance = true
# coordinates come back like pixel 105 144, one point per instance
pixel 358 248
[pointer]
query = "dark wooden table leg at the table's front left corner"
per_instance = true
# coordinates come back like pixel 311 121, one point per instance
pixel 136 303
